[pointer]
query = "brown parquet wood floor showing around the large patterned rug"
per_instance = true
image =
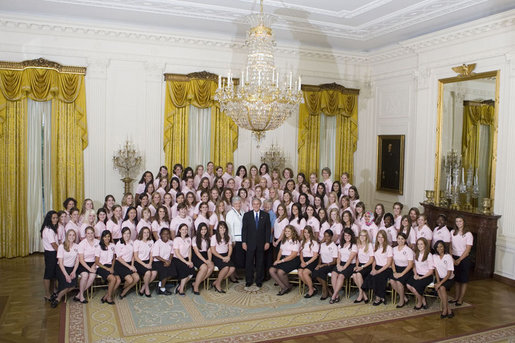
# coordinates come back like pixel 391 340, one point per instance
pixel 26 317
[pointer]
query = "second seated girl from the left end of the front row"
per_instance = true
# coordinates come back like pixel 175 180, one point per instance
pixel 87 268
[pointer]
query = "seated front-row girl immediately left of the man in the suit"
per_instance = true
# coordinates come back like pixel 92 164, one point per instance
pixel 221 248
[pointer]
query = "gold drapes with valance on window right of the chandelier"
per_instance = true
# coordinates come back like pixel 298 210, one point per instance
pixel 330 100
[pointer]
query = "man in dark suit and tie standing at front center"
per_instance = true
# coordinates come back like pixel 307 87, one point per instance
pixel 255 239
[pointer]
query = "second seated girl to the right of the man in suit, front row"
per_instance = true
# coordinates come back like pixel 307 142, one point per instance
pixel 309 247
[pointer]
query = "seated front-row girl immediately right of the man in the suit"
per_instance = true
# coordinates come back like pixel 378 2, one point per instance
pixel 287 259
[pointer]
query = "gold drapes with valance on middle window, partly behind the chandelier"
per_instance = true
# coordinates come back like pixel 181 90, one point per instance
pixel 199 91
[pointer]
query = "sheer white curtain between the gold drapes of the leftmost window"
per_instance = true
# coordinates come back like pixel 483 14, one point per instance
pixel 39 187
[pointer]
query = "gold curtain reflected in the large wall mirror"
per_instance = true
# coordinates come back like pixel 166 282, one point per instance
pixel 475 114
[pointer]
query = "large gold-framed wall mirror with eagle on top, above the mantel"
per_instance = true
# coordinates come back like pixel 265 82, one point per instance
pixel 467 139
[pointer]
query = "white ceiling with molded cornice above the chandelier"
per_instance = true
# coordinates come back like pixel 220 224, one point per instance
pixel 351 25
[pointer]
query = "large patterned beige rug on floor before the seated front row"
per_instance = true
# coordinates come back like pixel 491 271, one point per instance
pixel 237 316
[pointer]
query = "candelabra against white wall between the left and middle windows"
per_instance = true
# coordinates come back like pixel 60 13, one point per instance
pixel 128 161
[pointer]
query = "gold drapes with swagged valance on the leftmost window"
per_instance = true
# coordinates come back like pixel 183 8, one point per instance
pixel 69 138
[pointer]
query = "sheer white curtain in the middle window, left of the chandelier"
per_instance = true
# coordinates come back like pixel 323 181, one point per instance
pixel 199 136
